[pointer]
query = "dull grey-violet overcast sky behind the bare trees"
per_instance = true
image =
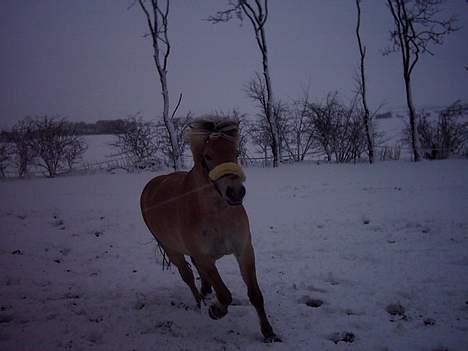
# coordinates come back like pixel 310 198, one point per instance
pixel 88 60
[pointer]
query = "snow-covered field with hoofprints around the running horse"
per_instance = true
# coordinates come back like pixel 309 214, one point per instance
pixel 349 257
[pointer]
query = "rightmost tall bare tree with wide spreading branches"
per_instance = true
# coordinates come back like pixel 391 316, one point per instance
pixel 417 26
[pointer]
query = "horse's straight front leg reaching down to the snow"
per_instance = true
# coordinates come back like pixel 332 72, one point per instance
pixel 246 260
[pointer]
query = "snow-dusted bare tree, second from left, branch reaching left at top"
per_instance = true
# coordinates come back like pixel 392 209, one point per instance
pixel 257 13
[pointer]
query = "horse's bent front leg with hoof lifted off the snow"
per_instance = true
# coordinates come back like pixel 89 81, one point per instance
pixel 207 268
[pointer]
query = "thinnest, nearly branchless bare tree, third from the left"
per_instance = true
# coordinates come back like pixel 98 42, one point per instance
pixel 367 118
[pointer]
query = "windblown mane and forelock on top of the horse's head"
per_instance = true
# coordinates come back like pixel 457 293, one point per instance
pixel 209 126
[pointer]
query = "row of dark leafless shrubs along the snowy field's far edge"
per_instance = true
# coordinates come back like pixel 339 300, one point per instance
pixel 331 129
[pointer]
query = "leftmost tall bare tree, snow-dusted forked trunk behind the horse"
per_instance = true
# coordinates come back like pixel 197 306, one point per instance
pixel 157 20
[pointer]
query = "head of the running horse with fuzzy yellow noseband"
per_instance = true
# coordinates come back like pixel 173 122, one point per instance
pixel 217 151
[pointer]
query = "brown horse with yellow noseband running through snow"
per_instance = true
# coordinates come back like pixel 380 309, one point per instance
pixel 200 214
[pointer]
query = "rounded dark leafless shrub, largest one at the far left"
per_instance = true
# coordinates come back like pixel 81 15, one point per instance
pixel 56 145
